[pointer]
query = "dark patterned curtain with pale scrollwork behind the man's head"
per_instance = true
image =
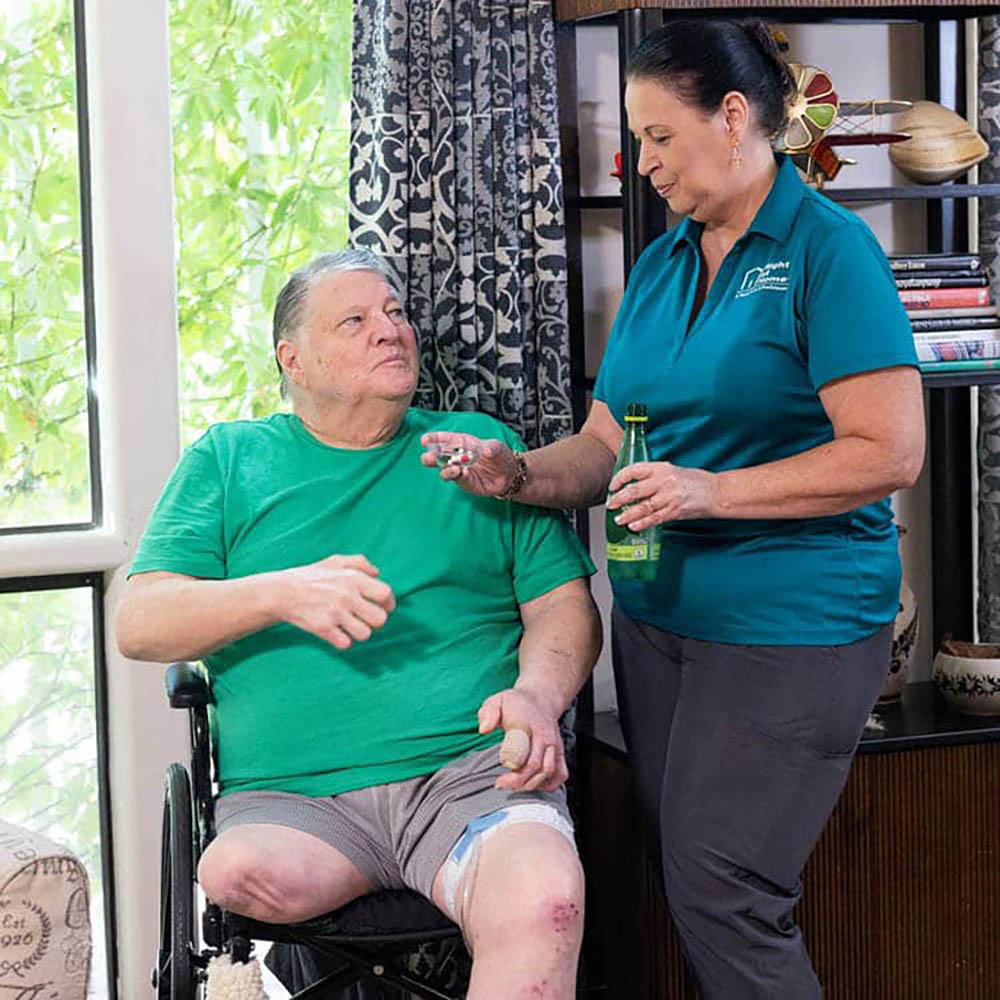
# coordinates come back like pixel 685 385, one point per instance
pixel 455 179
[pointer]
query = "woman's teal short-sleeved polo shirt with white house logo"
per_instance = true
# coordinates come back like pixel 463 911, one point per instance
pixel 804 297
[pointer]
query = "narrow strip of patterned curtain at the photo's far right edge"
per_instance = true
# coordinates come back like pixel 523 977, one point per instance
pixel 988 611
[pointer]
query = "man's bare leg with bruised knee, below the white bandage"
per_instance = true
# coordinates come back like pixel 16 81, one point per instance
pixel 521 910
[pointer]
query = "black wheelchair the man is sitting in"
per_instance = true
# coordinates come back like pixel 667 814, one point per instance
pixel 365 944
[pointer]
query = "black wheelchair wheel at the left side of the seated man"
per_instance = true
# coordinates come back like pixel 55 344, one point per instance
pixel 174 977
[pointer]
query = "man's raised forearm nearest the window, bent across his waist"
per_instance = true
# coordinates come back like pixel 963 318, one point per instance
pixel 171 617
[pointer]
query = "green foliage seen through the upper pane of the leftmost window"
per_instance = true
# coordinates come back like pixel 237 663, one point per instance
pixel 43 420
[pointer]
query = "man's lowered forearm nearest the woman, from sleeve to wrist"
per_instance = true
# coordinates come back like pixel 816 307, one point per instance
pixel 560 645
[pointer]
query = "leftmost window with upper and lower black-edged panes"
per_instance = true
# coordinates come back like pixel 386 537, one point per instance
pixel 52 704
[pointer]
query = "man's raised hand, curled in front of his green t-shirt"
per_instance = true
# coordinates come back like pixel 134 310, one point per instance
pixel 338 598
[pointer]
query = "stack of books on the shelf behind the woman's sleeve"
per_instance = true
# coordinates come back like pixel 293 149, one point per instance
pixel 947 297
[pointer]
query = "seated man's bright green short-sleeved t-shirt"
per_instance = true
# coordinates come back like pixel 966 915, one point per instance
pixel 295 714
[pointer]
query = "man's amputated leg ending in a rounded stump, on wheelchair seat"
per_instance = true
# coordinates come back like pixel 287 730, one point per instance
pixel 277 875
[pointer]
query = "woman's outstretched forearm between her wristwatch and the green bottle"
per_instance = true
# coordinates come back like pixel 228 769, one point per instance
pixel 571 473
